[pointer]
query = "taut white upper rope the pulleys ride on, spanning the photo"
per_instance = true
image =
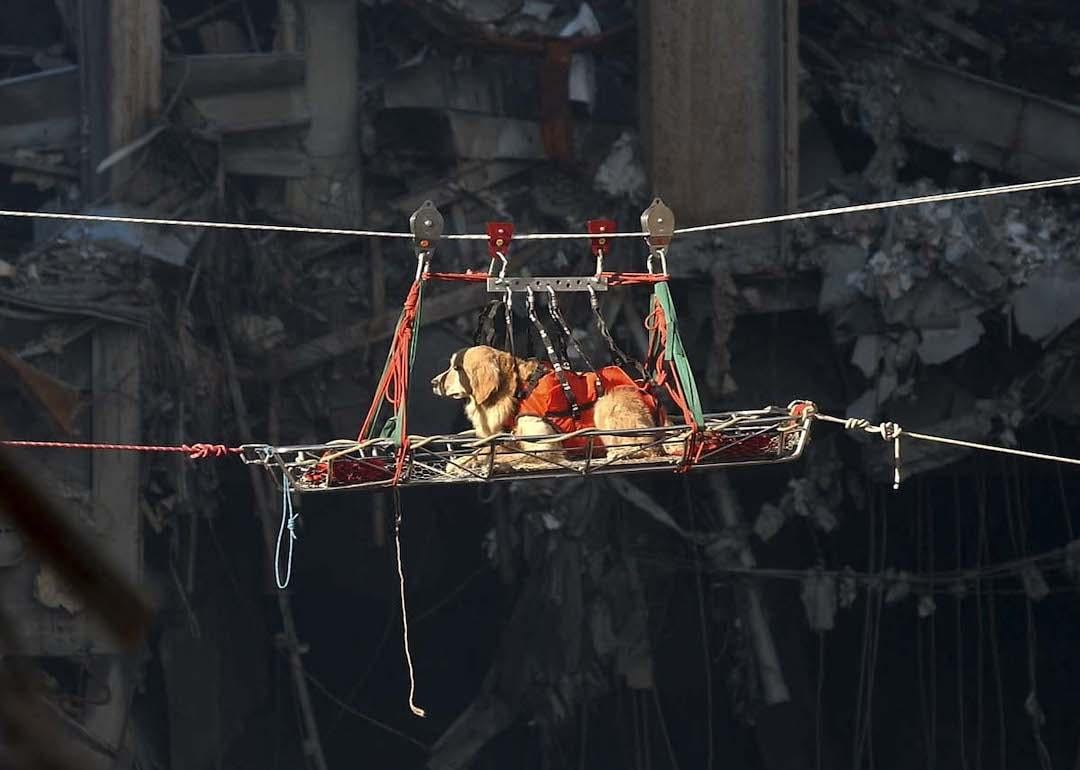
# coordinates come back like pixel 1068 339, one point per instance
pixel 938 198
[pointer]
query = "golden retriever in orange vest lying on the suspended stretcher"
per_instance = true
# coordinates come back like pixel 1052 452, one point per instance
pixel 495 385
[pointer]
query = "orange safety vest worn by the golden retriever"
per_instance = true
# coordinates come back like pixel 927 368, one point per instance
pixel 548 401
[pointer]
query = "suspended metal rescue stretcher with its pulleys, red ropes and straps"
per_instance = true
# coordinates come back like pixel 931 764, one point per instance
pixel 386 454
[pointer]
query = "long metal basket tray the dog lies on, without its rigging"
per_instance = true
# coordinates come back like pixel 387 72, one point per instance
pixel 760 437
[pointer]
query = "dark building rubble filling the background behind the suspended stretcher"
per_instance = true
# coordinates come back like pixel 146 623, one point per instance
pixel 629 624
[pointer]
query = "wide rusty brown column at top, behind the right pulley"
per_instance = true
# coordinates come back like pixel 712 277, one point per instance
pixel 720 106
